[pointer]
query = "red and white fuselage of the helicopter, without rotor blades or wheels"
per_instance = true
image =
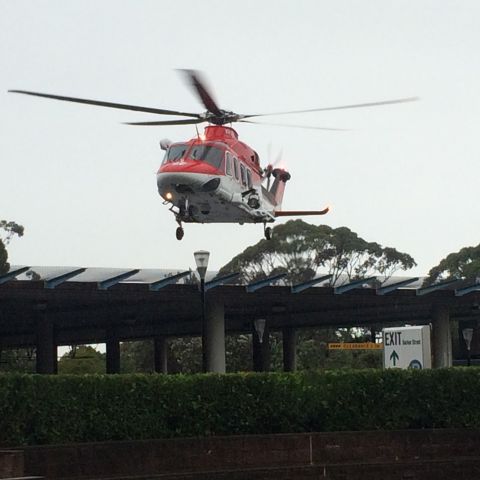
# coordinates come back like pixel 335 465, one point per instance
pixel 216 178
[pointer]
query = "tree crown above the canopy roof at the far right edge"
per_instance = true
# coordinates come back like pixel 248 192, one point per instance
pixel 464 264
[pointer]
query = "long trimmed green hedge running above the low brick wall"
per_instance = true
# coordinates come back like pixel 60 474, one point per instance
pixel 39 409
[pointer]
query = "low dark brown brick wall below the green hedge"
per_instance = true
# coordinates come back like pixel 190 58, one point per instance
pixel 303 455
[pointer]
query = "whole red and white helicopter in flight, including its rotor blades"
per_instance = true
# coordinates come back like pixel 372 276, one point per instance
pixel 214 177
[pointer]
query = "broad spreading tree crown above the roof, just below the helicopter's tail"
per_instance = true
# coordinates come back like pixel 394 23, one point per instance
pixel 301 249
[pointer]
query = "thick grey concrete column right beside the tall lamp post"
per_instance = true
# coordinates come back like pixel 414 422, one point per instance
pixel 215 336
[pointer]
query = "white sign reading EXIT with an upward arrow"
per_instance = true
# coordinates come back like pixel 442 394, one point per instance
pixel 407 347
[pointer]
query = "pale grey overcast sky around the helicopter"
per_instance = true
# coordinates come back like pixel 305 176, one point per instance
pixel 83 184
